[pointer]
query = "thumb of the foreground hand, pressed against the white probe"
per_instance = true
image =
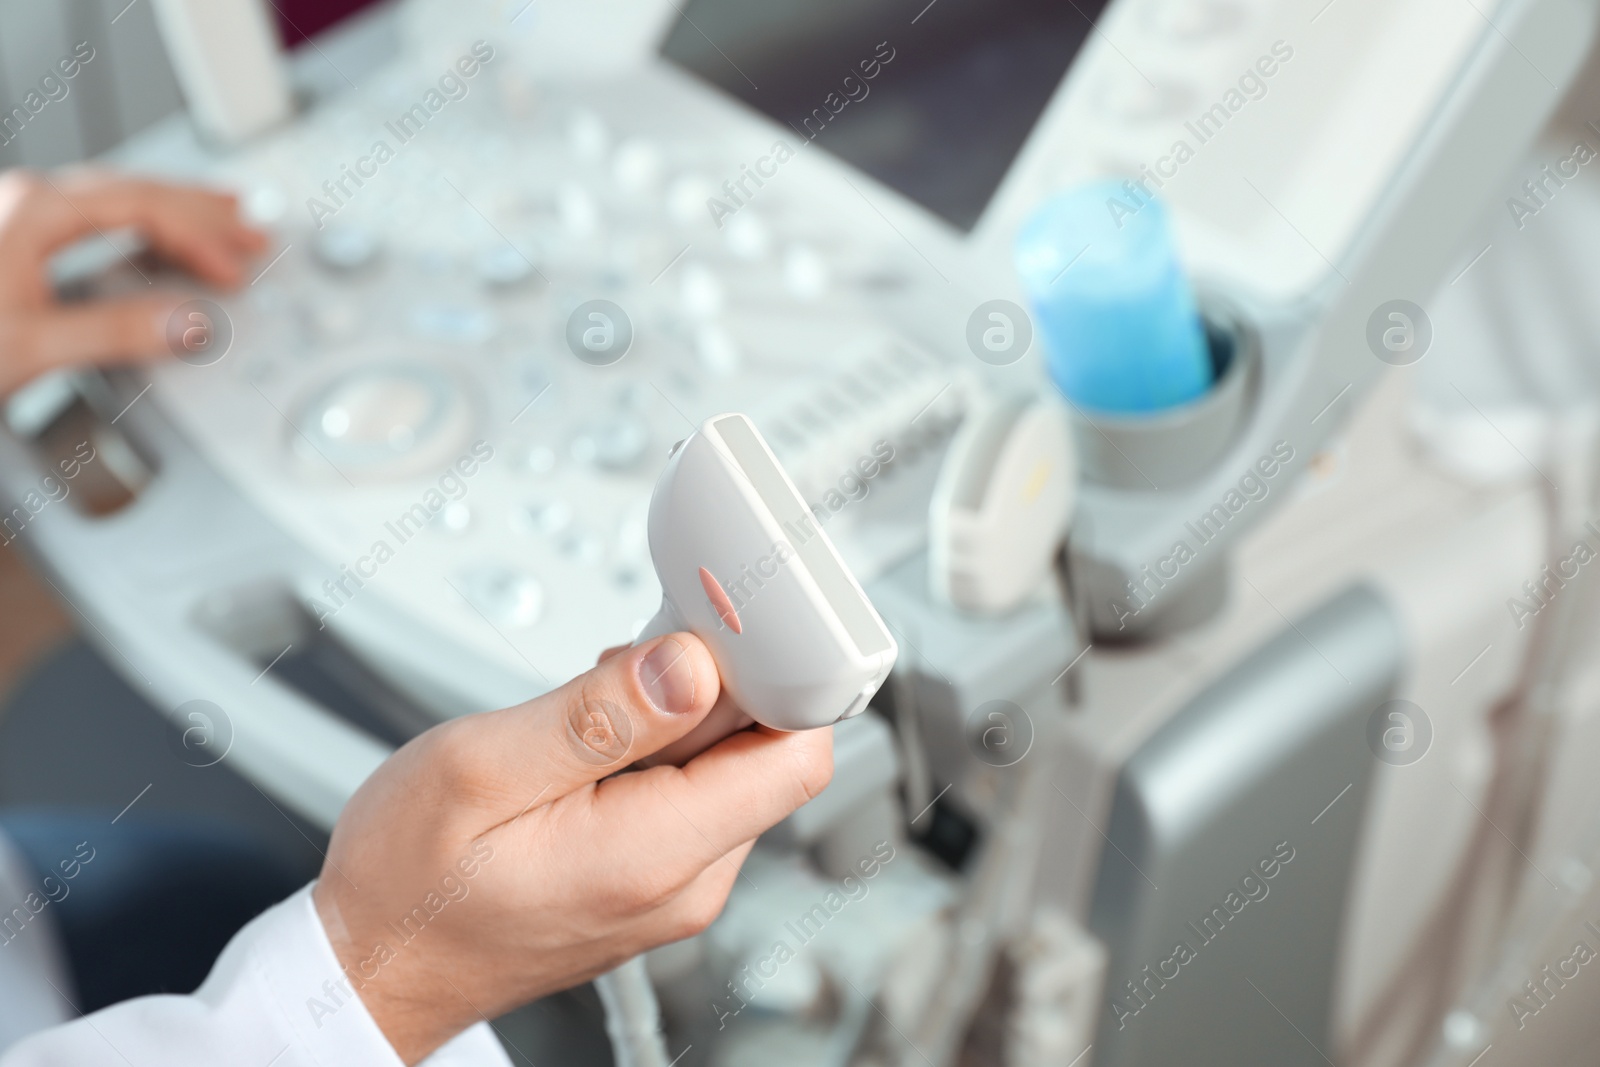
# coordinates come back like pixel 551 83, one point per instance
pixel 596 725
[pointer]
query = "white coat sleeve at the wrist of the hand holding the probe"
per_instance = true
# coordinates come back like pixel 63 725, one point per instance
pixel 276 997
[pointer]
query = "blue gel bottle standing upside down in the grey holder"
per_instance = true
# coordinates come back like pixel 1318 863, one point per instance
pixel 1118 316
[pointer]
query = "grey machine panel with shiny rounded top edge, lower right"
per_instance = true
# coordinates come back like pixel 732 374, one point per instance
pixel 1263 772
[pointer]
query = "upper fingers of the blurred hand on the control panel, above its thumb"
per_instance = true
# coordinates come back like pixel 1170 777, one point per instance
pixel 198 228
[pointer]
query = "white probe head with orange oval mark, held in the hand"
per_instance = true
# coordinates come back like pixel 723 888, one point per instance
pixel 746 567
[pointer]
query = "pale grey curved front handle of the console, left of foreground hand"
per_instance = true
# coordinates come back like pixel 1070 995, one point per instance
pixel 142 609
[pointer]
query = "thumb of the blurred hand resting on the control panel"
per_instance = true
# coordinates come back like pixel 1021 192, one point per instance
pixel 81 335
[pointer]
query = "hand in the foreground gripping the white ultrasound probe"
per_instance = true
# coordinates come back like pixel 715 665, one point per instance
pixel 500 858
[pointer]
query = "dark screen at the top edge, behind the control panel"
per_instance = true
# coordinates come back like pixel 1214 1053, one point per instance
pixel 934 100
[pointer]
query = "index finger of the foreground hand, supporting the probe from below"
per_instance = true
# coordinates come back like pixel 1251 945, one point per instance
pixel 730 794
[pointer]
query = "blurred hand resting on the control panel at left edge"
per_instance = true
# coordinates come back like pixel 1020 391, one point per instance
pixel 44 214
